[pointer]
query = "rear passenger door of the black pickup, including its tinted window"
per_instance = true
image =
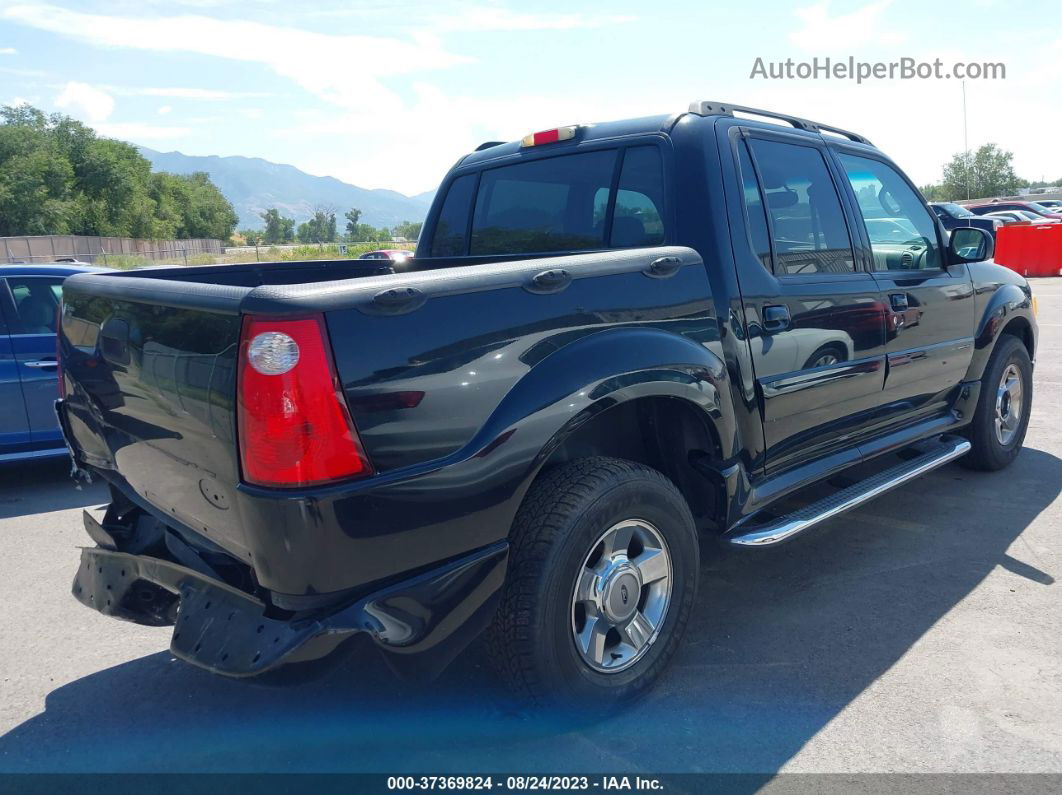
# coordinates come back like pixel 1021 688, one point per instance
pixel 814 319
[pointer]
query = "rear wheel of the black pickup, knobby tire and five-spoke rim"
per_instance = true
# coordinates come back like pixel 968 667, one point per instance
pixel 570 515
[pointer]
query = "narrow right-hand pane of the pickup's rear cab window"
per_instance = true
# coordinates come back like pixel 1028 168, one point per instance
pixel 639 218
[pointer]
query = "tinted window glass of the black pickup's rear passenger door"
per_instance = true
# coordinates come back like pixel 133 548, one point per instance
pixel 811 235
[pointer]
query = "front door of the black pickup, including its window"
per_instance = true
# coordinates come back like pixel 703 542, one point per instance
pixel 931 316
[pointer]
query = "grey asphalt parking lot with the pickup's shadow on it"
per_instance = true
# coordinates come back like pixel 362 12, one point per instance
pixel 922 633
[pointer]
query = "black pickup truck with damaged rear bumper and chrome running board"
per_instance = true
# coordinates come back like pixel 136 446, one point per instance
pixel 614 341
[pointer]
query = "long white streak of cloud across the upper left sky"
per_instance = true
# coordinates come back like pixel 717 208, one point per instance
pixel 340 70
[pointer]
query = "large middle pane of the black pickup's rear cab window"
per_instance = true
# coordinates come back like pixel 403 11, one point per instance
pixel 547 205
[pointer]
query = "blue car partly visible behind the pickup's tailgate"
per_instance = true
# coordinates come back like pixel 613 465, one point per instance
pixel 29 303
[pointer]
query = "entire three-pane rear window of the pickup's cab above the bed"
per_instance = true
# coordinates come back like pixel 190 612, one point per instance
pixel 569 203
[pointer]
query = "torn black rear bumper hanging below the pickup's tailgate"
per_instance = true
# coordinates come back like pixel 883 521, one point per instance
pixel 430 617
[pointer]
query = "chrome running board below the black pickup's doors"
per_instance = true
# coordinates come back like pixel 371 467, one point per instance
pixel 786 527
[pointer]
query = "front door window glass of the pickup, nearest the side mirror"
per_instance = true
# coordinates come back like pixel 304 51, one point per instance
pixel 902 233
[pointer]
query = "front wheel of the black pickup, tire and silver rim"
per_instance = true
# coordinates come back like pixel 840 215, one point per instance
pixel 992 451
